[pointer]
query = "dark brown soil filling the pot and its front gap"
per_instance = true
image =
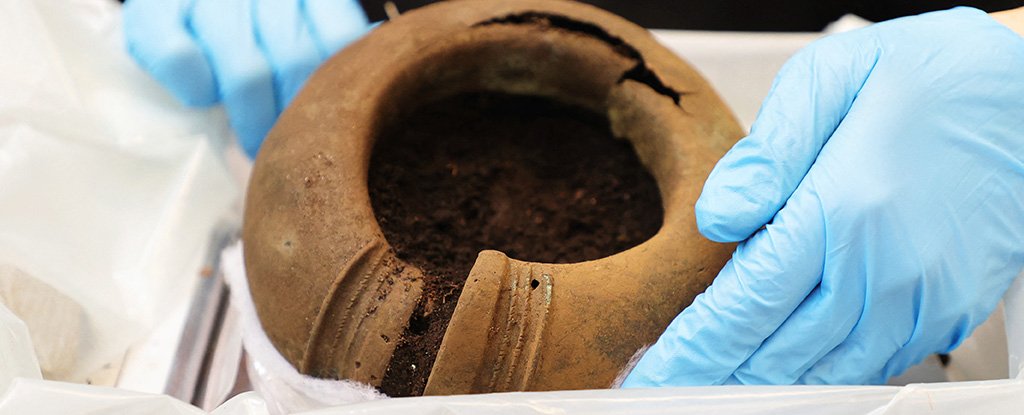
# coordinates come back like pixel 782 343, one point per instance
pixel 528 177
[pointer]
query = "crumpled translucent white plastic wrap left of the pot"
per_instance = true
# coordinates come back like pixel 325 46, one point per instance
pixel 109 189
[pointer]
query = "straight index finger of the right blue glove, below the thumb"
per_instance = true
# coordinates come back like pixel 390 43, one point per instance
pixel 714 337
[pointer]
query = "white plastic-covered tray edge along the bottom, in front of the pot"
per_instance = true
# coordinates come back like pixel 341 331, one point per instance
pixel 1002 397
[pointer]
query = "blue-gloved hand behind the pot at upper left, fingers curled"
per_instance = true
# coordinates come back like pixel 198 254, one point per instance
pixel 252 55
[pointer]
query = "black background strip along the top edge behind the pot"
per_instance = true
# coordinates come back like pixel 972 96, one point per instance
pixel 783 16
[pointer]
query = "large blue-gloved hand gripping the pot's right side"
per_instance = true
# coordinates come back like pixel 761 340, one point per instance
pixel 880 198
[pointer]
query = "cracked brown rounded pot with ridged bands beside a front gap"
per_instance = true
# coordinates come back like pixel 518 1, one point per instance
pixel 331 293
